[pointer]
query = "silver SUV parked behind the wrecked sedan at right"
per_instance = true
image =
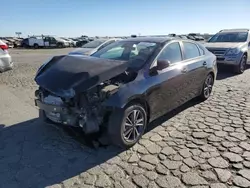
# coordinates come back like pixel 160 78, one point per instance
pixel 231 47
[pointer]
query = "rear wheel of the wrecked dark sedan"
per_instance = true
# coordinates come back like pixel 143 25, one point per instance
pixel 207 87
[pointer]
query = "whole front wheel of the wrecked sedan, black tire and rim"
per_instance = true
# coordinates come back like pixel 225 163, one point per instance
pixel 118 123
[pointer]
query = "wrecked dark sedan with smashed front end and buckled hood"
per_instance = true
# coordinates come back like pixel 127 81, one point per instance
pixel 124 86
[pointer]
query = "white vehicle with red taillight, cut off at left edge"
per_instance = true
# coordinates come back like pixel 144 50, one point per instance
pixel 5 58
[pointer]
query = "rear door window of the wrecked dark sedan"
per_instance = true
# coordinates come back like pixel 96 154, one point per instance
pixel 190 50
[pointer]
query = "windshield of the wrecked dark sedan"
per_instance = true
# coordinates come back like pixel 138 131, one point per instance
pixel 135 52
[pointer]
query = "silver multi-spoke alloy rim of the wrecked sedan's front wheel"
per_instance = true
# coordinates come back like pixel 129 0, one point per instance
pixel 134 125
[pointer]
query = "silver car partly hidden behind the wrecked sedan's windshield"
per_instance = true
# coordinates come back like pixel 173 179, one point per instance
pixel 92 47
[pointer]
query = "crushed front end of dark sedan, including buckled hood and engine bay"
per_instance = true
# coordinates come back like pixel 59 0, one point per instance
pixel 72 89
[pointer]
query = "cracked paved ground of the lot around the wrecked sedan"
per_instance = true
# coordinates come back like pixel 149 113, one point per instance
pixel 200 145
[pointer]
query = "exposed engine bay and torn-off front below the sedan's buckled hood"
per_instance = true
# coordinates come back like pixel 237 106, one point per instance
pixel 85 109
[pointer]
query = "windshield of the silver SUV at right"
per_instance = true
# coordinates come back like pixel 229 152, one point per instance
pixel 229 37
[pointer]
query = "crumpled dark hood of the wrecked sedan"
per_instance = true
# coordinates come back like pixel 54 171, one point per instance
pixel 66 76
